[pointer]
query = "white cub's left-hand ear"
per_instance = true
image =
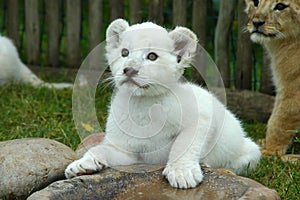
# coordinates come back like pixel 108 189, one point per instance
pixel 113 32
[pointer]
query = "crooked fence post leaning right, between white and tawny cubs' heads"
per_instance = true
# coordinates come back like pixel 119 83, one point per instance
pixel 223 29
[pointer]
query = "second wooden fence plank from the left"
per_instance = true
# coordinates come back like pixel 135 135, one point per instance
pixel 32 32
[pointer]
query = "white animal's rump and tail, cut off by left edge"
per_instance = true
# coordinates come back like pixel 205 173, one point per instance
pixel 12 70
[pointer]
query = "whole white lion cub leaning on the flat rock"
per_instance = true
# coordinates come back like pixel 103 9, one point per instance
pixel 155 118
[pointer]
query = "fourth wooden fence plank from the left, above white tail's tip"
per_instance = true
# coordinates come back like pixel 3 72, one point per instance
pixel 73 33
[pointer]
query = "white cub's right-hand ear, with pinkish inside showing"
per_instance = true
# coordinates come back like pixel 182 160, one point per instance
pixel 185 43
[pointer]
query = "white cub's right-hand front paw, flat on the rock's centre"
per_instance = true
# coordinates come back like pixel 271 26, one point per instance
pixel 183 176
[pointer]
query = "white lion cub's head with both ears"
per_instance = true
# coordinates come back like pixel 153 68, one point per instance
pixel 146 59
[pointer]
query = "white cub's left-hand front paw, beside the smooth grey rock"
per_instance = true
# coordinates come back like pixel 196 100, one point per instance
pixel 86 165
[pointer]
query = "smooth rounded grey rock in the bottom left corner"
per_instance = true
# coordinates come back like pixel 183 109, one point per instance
pixel 28 165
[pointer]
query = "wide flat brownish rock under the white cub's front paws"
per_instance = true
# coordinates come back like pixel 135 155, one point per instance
pixel 146 182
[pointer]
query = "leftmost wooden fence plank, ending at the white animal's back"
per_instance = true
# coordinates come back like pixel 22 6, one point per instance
pixel 13 21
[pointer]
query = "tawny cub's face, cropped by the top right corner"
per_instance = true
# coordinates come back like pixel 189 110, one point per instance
pixel 273 19
